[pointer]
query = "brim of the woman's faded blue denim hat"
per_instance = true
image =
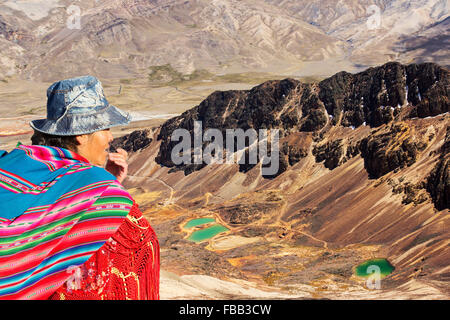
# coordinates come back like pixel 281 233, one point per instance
pixel 77 124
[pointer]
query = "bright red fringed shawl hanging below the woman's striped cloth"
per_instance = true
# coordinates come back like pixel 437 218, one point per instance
pixel 125 267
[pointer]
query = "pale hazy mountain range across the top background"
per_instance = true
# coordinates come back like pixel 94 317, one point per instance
pixel 123 38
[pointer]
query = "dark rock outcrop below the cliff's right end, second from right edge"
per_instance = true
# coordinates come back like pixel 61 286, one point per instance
pixel 386 152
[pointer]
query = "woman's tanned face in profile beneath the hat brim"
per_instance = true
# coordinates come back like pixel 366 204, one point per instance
pixel 95 146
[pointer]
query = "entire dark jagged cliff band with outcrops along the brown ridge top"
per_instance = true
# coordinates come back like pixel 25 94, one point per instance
pixel 373 97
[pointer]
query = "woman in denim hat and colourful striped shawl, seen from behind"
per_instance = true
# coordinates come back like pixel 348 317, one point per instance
pixel 68 228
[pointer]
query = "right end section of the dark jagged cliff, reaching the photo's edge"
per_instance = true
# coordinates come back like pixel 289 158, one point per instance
pixel 374 96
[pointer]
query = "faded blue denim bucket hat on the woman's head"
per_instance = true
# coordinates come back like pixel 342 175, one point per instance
pixel 78 106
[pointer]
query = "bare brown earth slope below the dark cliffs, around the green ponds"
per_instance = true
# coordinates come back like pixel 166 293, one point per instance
pixel 308 226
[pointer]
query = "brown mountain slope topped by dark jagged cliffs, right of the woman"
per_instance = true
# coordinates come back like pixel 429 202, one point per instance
pixel 345 195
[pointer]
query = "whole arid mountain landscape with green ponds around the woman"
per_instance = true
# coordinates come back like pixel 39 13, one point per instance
pixel 364 165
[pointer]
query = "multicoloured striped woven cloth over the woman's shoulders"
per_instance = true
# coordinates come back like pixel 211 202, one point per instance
pixel 56 211
